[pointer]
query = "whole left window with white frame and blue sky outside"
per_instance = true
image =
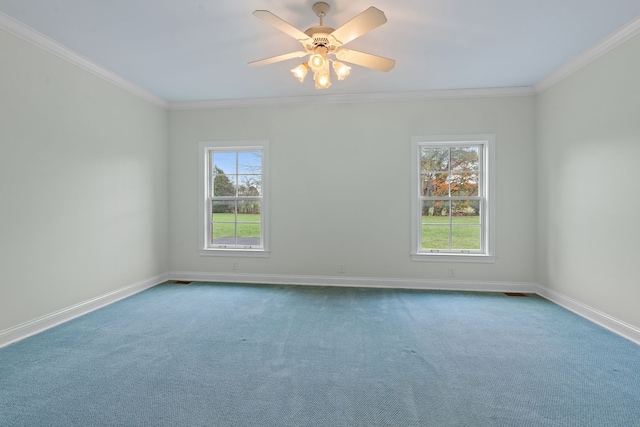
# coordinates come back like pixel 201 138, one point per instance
pixel 233 210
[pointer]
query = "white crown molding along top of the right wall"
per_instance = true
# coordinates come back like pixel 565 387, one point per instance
pixel 610 42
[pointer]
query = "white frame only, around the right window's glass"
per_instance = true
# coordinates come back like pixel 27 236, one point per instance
pixel 487 250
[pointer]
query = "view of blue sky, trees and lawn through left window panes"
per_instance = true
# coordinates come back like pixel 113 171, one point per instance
pixel 236 198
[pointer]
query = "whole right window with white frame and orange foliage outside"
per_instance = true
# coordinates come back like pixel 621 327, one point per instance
pixel 452 187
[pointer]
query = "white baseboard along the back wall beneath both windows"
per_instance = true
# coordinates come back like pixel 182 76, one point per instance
pixel 368 282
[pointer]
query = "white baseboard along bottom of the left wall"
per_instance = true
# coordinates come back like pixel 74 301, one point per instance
pixel 40 324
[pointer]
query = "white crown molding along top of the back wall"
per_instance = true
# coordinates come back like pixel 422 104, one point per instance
pixel 354 98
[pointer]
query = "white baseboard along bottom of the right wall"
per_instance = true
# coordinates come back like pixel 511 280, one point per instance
pixel 616 326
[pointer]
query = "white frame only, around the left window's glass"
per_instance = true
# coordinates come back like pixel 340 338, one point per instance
pixel 204 247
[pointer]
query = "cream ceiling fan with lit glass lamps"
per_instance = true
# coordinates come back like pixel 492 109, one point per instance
pixel 320 41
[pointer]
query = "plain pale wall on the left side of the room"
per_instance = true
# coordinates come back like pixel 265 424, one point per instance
pixel 83 185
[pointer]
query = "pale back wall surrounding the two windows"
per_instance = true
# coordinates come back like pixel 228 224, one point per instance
pixel 340 178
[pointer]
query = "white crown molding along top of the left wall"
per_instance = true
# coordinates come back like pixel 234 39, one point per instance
pixel 32 36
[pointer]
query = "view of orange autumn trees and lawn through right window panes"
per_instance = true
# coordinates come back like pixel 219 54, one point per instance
pixel 450 195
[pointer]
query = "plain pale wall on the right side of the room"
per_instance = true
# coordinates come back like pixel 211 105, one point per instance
pixel 587 161
